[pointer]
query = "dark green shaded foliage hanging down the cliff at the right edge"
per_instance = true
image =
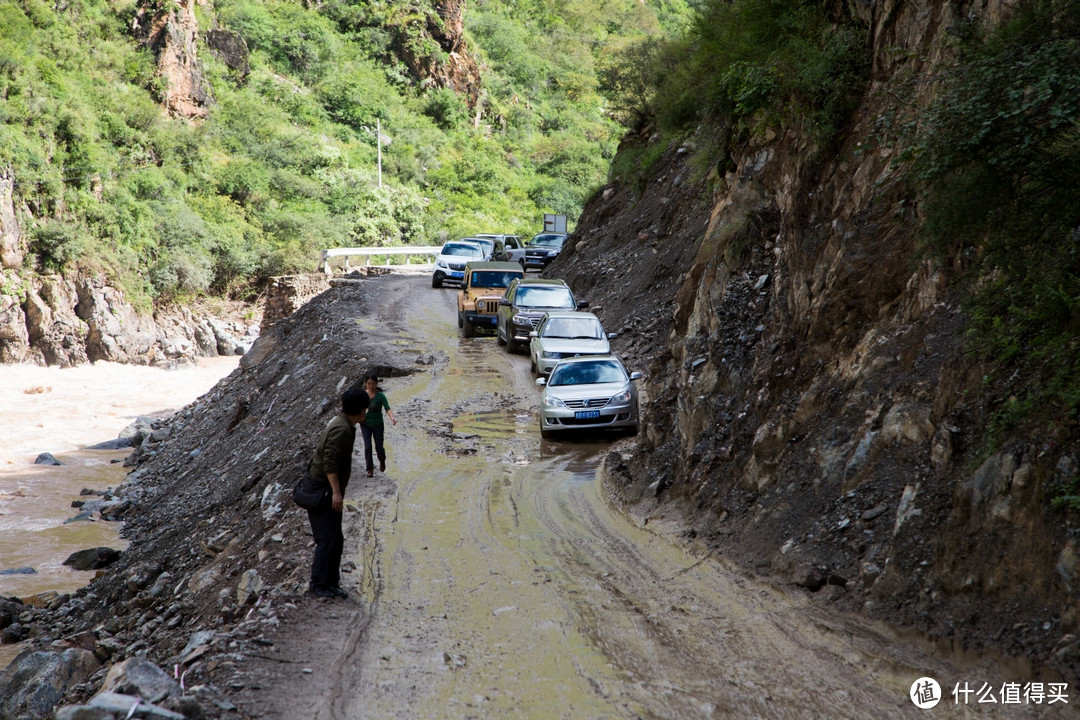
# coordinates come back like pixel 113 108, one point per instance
pixel 997 168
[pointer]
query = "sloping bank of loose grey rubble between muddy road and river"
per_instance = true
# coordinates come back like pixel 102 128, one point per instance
pixel 219 553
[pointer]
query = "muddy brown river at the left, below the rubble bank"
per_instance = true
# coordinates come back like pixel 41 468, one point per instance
pixel 62 412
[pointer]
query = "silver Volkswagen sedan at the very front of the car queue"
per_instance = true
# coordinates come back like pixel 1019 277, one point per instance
pixel 589 393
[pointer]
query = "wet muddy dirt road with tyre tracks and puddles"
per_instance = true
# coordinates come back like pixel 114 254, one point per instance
pixel 493 579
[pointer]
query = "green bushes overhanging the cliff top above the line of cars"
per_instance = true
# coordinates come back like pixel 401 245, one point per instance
pixel 754 64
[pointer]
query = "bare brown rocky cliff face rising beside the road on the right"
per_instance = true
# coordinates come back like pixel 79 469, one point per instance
pixel 812 409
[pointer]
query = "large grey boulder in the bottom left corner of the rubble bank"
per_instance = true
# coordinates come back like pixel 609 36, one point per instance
pixel 34 683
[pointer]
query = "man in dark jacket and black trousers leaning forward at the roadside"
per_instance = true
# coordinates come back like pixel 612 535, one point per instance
pixel 331 466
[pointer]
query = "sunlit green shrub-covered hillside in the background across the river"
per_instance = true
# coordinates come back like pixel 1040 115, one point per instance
pixel 187 151
